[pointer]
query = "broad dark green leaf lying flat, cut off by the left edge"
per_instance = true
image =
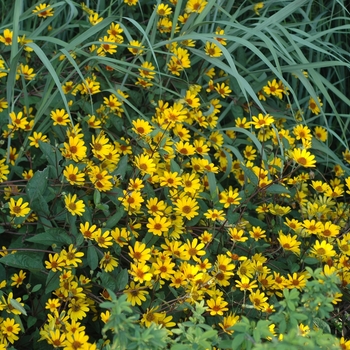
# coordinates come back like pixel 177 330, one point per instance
pixel 31 261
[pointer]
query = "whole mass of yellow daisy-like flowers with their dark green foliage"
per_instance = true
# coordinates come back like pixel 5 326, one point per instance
pixel 166 196
